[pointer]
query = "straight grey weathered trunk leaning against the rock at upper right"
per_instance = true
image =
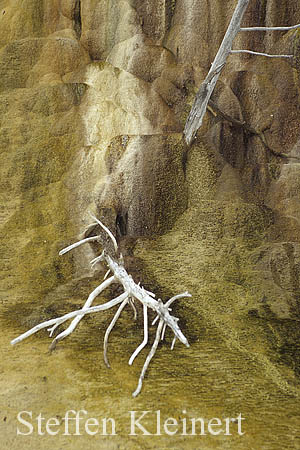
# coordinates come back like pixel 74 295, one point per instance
pixel 197 112
